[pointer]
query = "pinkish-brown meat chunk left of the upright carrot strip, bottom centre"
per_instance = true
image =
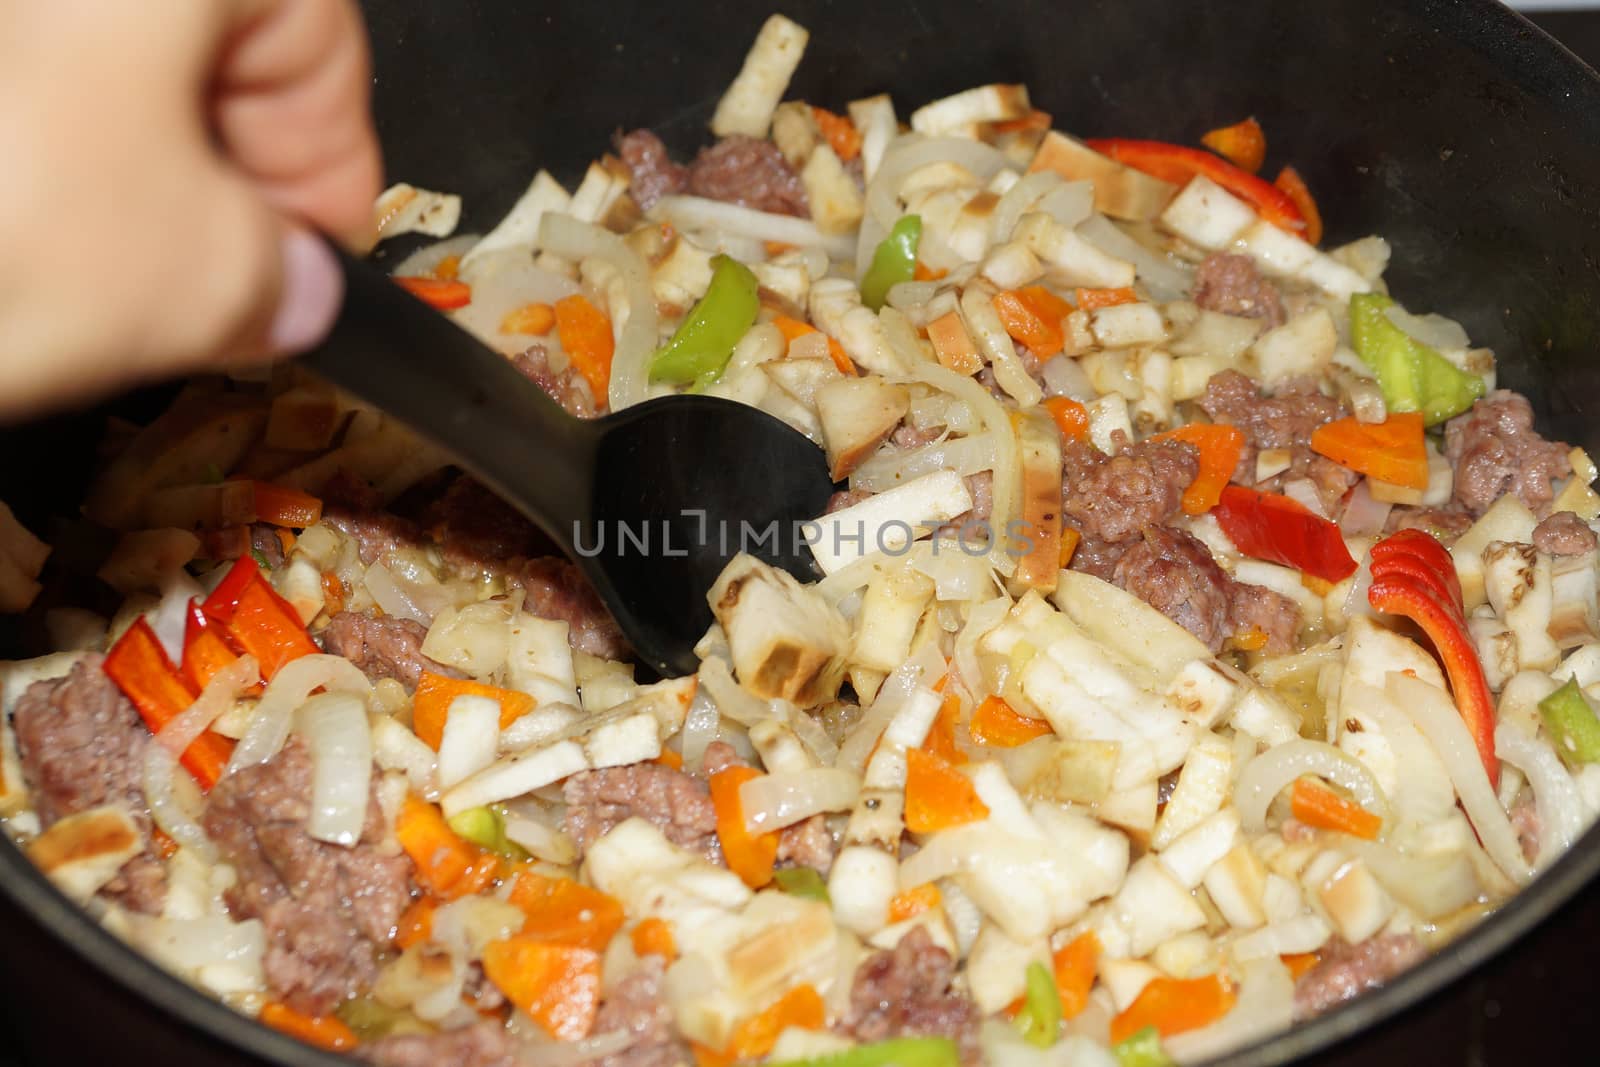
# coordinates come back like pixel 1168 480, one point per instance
pixel 678 804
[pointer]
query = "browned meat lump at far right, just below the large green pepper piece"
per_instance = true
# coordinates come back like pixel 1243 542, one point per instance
pixel 1495 450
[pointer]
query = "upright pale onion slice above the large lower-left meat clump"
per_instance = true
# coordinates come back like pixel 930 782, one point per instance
pixel 342 759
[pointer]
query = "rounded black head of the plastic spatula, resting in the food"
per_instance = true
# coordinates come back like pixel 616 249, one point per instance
pixel 682 486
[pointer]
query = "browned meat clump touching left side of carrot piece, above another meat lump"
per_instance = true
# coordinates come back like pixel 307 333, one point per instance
pixel 1113 498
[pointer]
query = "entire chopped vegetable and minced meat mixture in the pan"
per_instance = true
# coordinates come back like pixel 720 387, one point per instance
pixel 1199 636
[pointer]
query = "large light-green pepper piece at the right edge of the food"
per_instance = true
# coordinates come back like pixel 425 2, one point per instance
pixel 1412 375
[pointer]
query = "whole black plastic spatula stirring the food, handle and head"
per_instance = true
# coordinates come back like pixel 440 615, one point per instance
pixel 650 502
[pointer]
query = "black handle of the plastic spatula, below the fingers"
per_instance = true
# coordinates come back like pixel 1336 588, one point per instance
pixel 409 361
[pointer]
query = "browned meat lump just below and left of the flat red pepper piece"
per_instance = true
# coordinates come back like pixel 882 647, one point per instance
pixel 1175 573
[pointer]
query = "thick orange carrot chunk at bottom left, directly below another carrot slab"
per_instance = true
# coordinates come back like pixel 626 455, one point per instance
pixel 559 986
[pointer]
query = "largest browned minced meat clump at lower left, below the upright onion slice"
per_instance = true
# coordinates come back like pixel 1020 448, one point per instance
pixel 327 909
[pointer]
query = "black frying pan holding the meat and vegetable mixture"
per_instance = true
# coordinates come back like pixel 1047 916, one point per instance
pixel 1455 130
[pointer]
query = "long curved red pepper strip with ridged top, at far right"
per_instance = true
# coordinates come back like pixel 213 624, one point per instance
pixel 1414 577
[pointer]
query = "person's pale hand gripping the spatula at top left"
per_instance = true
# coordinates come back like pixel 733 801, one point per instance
pixel 166 167
